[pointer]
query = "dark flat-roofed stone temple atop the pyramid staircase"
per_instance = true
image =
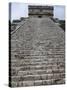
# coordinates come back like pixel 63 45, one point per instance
pixel 40 11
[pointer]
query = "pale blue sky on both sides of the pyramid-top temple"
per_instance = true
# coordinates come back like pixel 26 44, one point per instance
pixel 21 10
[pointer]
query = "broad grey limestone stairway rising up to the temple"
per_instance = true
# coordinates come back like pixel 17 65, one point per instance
pixel 37 52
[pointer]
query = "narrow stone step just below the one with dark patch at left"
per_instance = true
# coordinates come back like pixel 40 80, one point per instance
pixel 45 60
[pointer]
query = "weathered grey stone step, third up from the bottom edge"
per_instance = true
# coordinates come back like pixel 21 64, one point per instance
pixel 34 72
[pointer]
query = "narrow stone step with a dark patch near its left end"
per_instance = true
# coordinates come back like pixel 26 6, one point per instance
pixel 30 56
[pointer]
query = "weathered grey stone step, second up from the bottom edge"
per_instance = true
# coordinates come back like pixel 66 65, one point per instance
pixel 38 77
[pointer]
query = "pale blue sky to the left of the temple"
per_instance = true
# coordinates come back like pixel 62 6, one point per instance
pixel 19 10
